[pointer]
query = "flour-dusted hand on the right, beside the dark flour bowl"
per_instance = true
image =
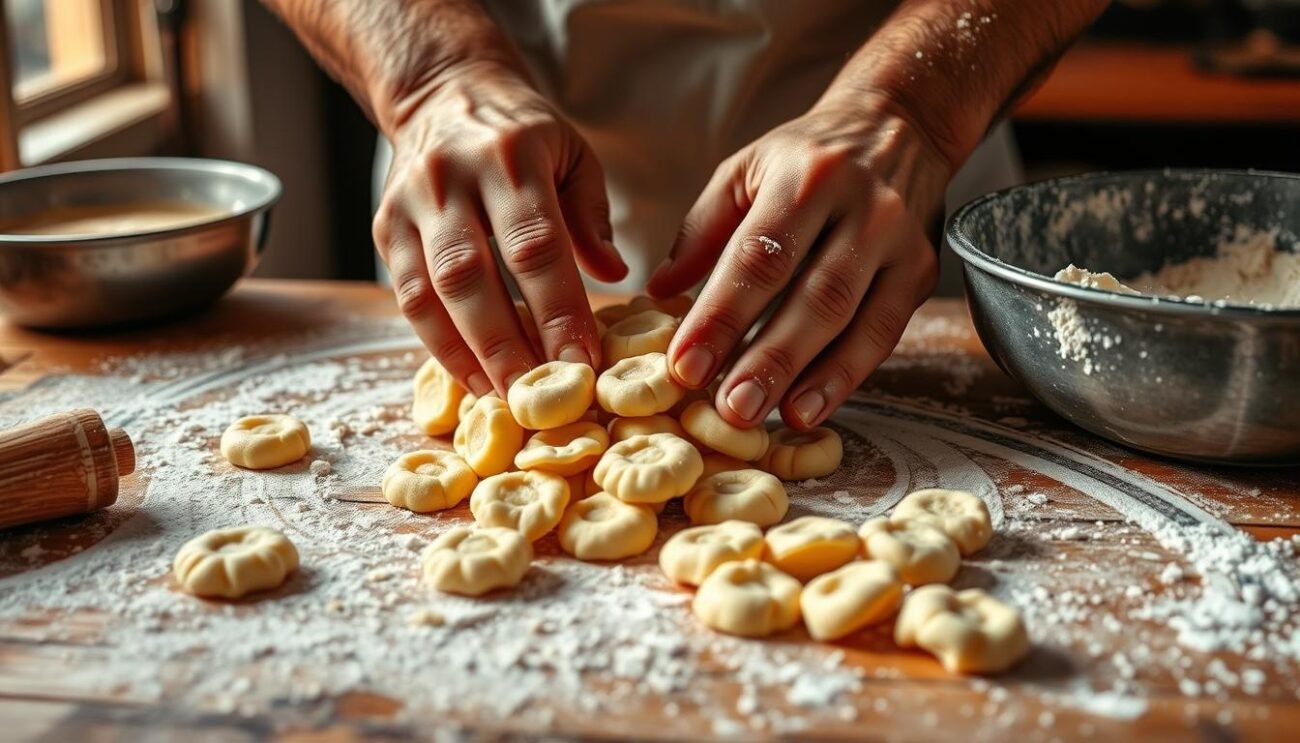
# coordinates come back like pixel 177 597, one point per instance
pixel 830 207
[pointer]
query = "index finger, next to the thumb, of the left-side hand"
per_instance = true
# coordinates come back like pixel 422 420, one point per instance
pixel 536 247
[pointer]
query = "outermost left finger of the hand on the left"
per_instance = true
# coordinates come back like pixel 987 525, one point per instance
pixel 400 246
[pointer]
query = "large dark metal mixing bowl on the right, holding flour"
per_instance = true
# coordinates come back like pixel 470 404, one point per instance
pixel 1180 379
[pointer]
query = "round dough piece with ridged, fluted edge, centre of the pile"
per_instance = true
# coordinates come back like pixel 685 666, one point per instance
pixel 649 470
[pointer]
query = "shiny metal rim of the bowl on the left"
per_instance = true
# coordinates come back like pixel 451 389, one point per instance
pixel 271 184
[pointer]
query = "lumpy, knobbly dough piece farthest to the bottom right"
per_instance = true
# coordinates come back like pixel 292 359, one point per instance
pixel 969 632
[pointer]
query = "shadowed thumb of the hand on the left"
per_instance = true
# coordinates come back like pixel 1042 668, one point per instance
pixel 587 214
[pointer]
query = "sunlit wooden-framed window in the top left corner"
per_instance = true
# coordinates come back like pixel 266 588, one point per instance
pixel 81 79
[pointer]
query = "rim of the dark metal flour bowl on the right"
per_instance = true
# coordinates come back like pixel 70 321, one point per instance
pixel 973 257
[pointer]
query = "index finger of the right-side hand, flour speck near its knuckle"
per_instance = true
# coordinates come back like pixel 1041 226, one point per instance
pixel 759 263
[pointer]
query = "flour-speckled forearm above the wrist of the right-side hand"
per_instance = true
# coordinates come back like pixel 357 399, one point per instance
pixel 956 67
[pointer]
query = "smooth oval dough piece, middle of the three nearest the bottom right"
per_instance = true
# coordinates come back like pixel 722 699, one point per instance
pixel 846 601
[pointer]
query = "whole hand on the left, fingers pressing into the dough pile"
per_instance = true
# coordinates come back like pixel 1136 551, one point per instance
pixel 484 154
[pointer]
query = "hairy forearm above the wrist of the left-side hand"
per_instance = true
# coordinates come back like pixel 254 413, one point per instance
pixel 392 54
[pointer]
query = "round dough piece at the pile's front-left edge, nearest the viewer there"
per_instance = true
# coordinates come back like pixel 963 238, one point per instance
pixel 473 562
